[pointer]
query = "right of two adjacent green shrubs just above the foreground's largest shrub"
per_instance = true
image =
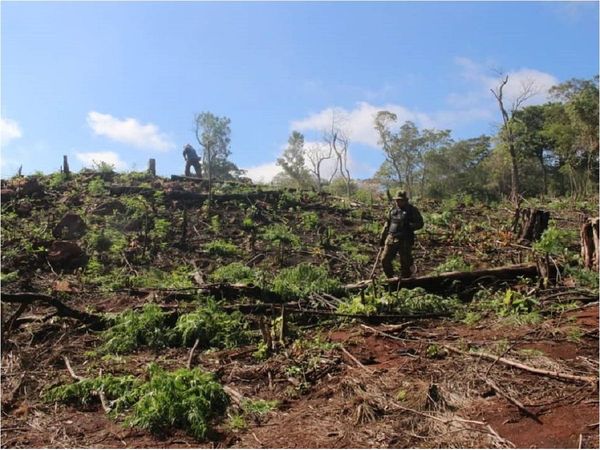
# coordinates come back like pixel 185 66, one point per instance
pixel 213 327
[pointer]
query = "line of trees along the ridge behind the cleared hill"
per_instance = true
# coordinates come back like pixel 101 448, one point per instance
pixel 547 149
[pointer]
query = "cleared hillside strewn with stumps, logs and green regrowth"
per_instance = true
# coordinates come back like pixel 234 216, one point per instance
pixel 139 311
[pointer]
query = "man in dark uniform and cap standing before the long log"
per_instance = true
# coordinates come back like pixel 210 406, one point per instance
pixel 398 235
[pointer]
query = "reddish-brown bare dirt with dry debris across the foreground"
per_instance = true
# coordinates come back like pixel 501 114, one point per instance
pixel 370 390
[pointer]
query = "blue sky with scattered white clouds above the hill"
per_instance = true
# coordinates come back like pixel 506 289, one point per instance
pixel 121 81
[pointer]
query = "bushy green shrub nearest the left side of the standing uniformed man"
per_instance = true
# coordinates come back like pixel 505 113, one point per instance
pixel 301 280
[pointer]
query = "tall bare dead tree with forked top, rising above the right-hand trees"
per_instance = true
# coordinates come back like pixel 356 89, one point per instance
pixel 527 91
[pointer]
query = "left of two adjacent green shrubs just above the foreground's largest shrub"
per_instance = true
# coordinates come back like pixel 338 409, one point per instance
pixel 132 329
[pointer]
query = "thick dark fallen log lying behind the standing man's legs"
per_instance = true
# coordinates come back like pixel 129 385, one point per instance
pixel 445 281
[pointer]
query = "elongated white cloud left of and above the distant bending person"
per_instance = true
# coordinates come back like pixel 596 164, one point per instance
pixel 129 131
